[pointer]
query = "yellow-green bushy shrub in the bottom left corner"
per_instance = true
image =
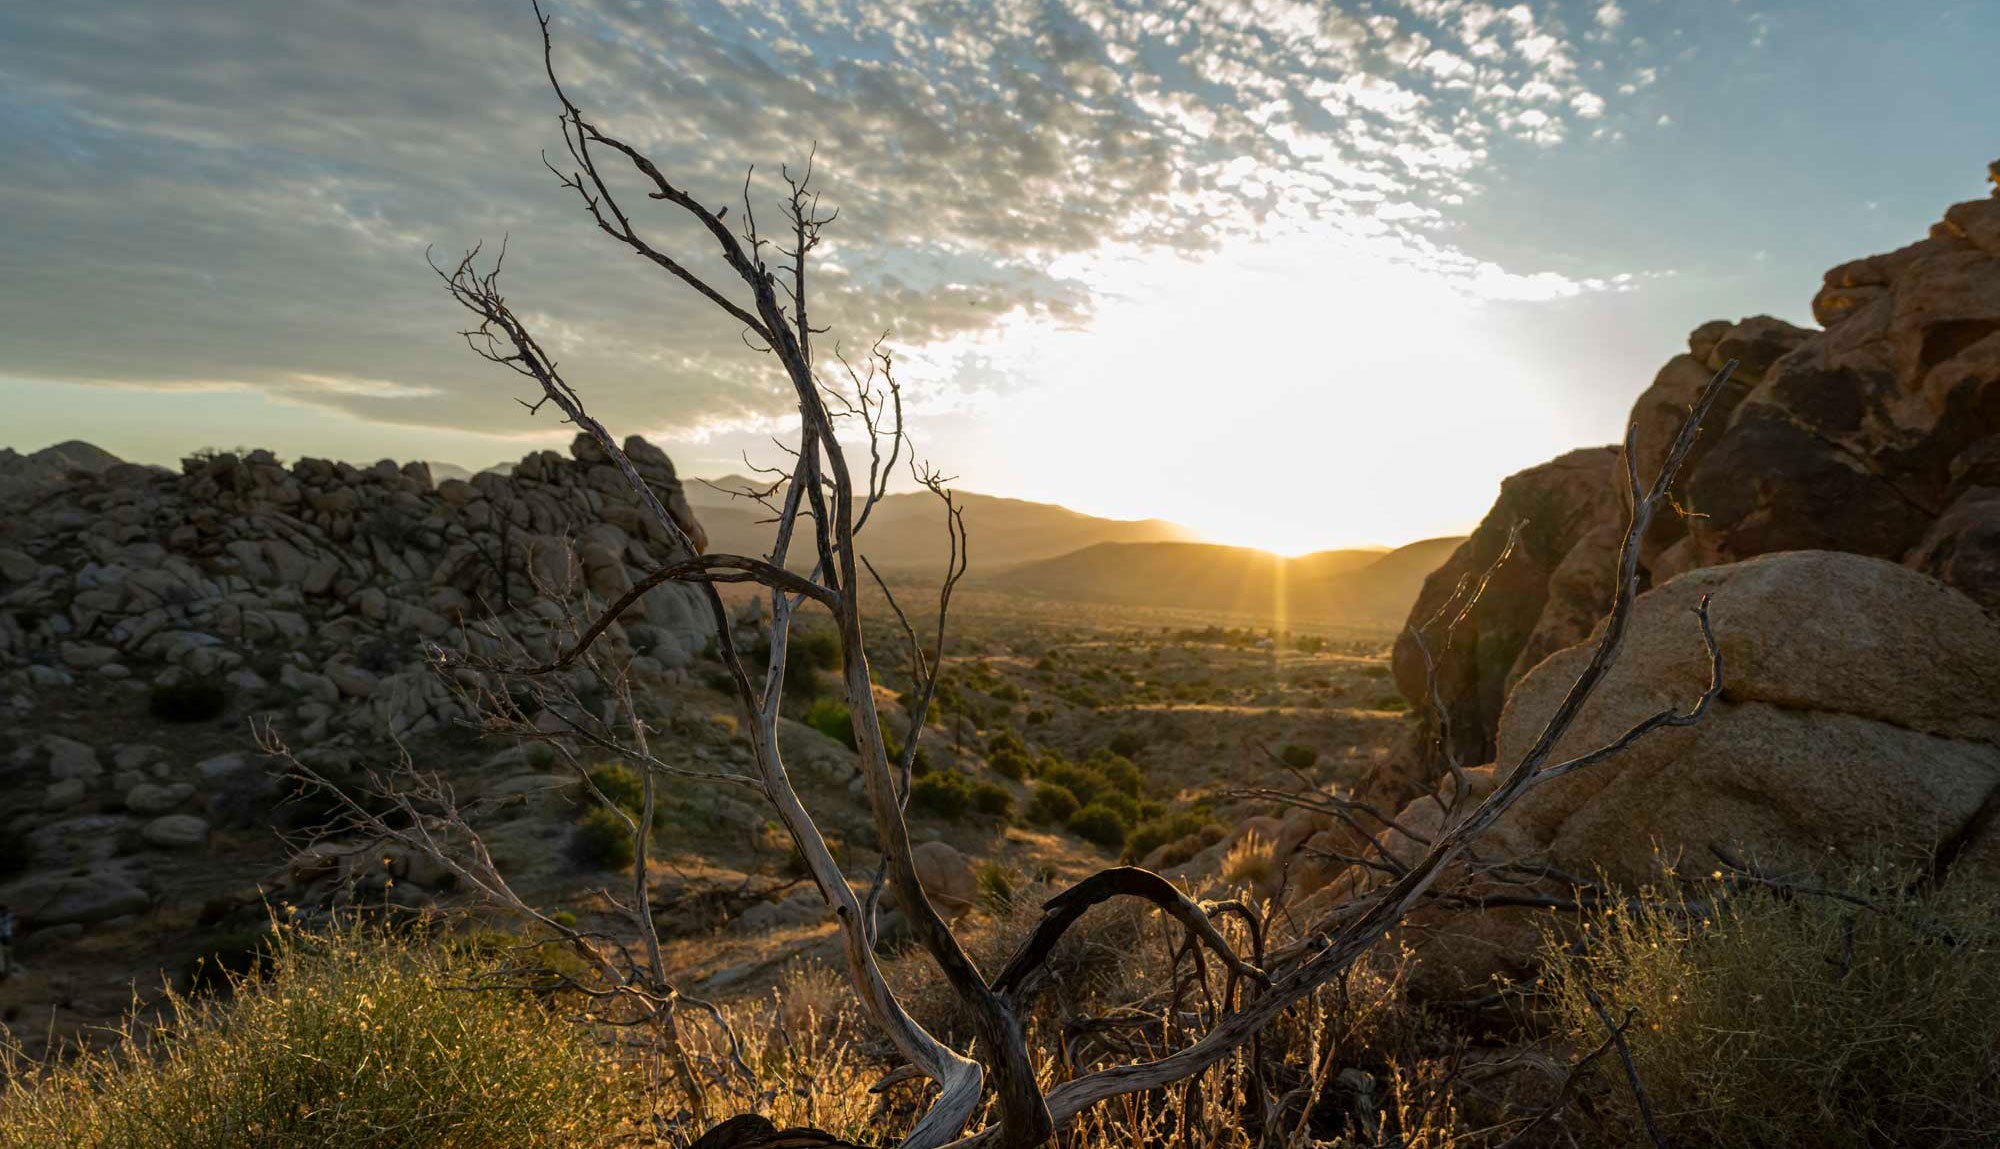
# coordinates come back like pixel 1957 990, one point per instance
pixel 353 1042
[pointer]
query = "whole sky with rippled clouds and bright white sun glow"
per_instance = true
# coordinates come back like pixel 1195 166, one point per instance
pixel 1291 275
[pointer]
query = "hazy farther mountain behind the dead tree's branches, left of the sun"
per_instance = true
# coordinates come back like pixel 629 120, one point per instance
pixel 907 531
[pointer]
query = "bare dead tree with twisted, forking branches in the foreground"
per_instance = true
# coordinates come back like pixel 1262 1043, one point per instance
pixel 821 505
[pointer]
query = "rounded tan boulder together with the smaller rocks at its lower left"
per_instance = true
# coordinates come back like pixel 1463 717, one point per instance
pixel 1859 726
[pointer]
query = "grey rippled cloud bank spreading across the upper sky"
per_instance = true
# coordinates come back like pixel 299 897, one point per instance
pixel 245 191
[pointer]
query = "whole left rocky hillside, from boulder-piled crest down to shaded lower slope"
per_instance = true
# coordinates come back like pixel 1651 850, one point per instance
pixel 145 608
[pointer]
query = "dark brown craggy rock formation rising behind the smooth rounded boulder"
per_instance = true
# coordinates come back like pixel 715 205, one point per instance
pixel 1879 435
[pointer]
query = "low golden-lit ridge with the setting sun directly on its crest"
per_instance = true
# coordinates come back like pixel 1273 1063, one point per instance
pixel 1235 580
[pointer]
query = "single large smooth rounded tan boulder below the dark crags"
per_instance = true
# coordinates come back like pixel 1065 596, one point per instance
pixel 1861 712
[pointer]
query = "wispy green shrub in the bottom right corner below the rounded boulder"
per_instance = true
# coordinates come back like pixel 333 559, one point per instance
pixel 1803 1022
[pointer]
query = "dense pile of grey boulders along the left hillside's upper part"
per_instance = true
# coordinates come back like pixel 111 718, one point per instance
pixel 313 592
